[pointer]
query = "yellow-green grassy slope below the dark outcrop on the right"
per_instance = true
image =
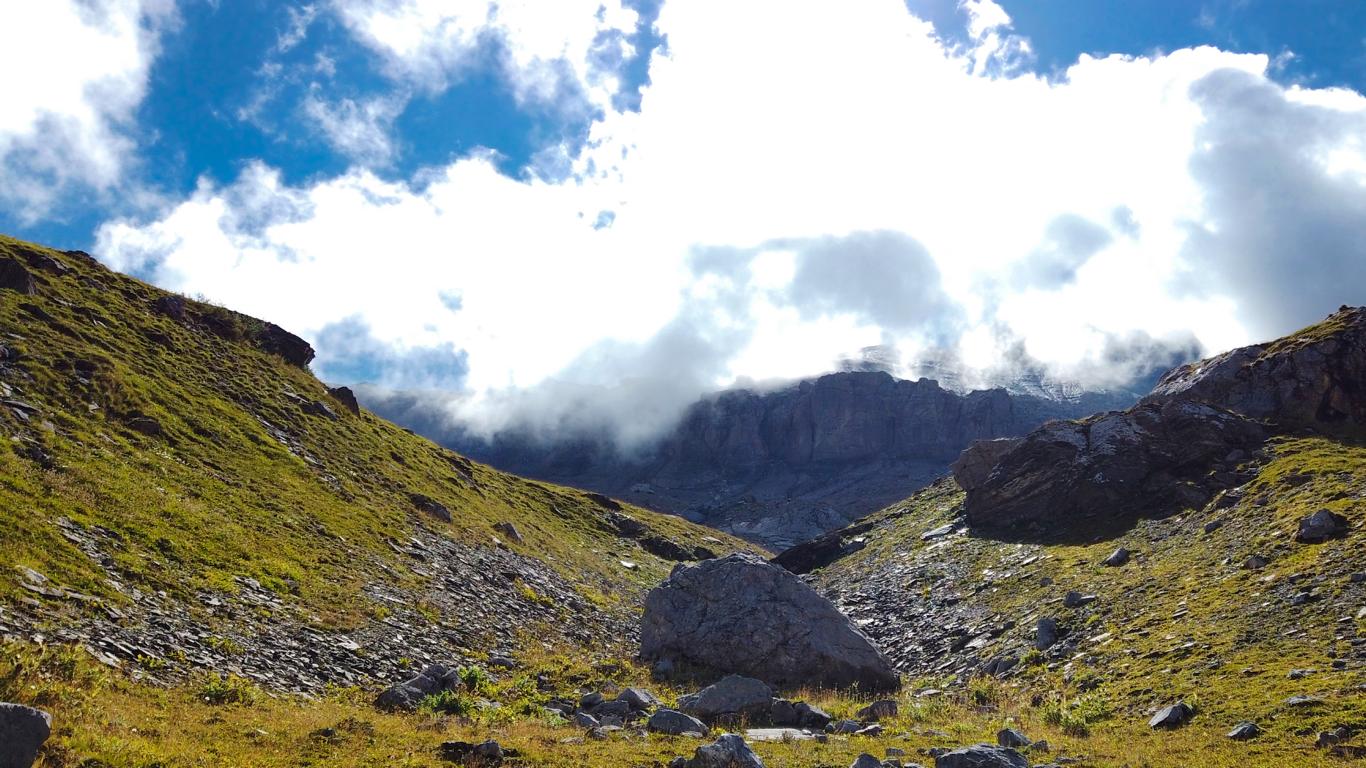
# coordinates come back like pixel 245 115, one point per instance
pixel 1180 621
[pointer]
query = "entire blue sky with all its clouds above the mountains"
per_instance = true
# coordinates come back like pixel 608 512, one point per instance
pixel 584 214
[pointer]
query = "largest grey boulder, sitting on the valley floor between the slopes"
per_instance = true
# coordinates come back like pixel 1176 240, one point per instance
pixel 741 614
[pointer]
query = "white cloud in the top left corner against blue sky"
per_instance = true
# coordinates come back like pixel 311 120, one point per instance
pixel 76 72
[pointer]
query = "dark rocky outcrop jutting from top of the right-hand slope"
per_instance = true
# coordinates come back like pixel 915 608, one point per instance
pixel 1182 445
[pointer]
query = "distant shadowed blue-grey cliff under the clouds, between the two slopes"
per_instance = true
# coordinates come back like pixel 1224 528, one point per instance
pixel 787 465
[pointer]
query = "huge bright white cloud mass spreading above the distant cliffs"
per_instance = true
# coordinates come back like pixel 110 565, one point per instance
pixel 771 126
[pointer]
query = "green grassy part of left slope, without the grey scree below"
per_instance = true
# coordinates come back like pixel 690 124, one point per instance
pixel 218 495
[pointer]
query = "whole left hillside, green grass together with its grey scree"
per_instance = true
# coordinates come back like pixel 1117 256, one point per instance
pixel 178 491
